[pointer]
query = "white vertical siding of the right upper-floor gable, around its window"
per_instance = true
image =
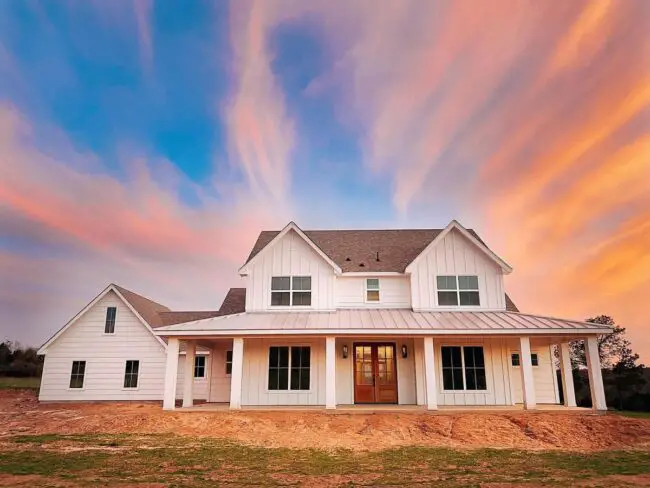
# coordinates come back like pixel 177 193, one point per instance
pixel 456 255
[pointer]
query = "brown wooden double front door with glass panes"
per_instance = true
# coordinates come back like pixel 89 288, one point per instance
pixel 375 373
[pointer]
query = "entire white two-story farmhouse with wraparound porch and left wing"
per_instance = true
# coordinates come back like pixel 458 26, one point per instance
pixel 330 318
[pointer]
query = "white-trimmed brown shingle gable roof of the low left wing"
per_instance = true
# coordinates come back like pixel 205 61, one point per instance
pixel 146 307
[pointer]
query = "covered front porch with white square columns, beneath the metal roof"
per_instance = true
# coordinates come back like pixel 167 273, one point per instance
pixel 426 377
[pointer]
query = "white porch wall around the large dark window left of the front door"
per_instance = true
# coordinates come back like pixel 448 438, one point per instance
pixel 255 378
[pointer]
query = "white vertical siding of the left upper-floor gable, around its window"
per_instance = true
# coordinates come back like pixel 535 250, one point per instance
pixel 290 256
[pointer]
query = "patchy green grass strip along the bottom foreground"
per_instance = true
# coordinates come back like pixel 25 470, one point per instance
pixel 174 461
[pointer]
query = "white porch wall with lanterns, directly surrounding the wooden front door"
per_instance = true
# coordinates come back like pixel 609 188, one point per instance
pixel 345 371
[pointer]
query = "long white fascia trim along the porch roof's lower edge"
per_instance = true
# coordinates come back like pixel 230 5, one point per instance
pixel 578 333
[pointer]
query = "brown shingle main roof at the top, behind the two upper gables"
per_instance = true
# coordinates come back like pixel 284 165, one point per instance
pixel 350 248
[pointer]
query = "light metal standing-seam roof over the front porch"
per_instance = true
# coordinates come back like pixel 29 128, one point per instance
pixel 386 321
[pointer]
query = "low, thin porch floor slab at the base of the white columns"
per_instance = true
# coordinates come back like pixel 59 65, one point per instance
pixel 367 409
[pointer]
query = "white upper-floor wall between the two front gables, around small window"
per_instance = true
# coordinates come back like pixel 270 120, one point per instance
pixel 394 292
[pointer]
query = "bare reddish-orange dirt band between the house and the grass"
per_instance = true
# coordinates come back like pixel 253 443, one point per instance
pixel 20 413
